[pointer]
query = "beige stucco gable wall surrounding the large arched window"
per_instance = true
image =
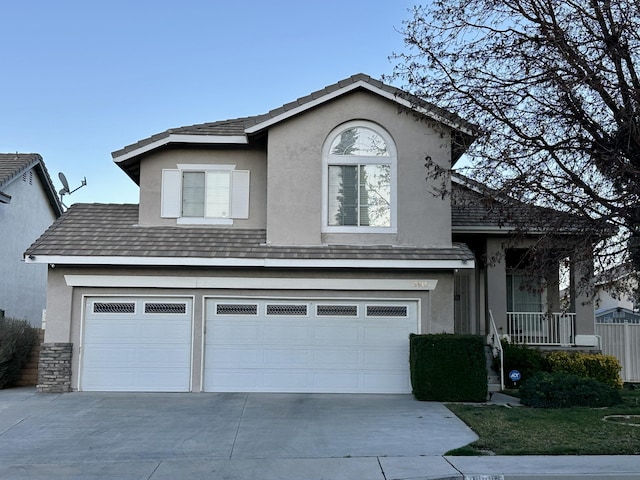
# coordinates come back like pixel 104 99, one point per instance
pixel 294 204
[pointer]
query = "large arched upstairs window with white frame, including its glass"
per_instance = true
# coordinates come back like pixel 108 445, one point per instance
pixel 359 161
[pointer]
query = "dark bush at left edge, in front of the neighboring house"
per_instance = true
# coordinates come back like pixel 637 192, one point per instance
pixel 16 340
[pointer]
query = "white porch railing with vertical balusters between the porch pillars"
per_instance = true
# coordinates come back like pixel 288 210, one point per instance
pixel 535 328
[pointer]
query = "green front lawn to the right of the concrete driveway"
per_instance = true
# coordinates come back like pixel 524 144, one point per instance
pixel 568 431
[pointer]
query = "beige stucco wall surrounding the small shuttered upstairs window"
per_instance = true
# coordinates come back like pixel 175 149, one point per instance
pixel 244 158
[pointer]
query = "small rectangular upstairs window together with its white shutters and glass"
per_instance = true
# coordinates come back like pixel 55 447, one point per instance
pixel 205 194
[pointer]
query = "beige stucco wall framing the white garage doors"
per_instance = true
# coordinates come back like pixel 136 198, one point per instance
pixel 65 313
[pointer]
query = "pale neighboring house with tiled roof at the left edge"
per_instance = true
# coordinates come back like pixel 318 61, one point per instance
pixel 28 205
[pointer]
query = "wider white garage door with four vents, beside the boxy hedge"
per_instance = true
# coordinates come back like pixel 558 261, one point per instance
pixel 308 346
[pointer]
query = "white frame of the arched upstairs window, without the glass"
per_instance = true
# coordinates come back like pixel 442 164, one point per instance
pixel 355 160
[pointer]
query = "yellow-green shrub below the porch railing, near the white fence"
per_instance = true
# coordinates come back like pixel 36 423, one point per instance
pixel 604 368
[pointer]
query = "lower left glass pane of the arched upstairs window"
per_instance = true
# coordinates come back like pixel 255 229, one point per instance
pixel 343 195
